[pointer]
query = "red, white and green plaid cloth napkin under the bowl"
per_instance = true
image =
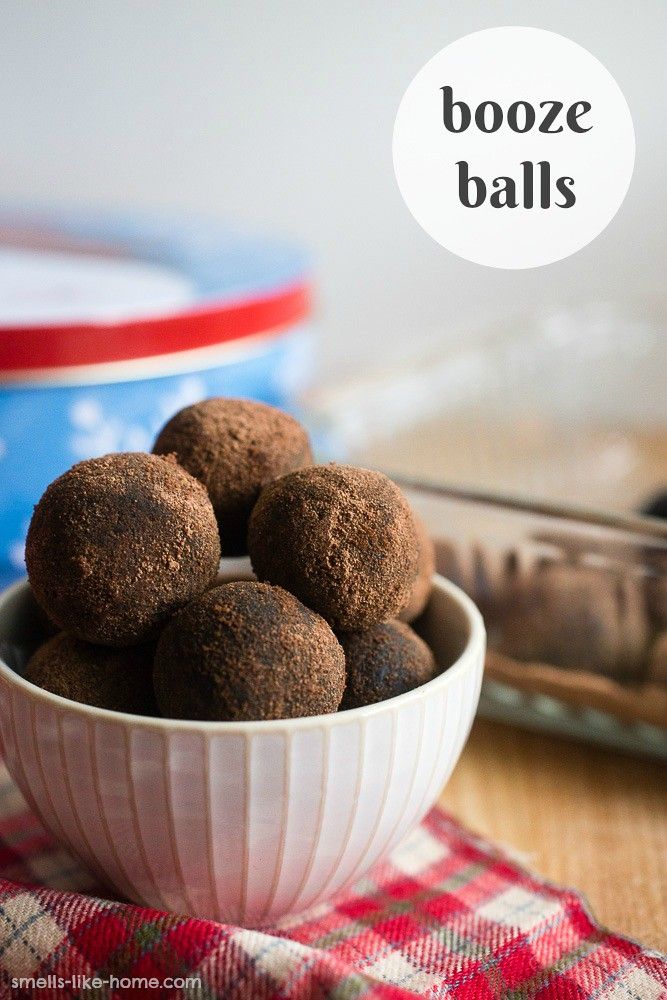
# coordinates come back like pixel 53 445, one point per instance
pixel 447 916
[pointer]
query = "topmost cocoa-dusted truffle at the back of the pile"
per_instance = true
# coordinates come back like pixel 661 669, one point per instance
pixel 234 447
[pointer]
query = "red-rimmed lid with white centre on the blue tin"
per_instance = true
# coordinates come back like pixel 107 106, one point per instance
pixel 83 289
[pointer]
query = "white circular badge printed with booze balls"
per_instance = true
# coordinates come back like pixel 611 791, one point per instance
pixel 513 147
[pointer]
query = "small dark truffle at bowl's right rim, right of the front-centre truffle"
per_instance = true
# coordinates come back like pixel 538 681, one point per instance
pixel 384 661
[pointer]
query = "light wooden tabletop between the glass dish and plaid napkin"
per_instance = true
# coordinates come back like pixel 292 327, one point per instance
pixel 584 817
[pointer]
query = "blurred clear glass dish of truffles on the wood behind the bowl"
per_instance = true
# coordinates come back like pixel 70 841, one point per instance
pixel 576 610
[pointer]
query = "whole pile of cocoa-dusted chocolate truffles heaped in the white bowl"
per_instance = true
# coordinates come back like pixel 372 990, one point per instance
pixel 123 556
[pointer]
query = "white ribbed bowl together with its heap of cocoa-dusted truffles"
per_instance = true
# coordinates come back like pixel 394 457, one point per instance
pixel 236 740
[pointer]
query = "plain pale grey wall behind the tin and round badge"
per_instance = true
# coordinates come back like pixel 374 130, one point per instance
pixel 281 114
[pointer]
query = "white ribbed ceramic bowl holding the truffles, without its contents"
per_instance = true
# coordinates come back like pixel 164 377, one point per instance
pixel 242 822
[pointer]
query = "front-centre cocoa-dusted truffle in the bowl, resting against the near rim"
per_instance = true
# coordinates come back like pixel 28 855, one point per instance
pixel 248 651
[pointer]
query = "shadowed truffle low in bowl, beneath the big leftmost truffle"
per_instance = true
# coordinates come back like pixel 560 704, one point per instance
pixel 119 679
